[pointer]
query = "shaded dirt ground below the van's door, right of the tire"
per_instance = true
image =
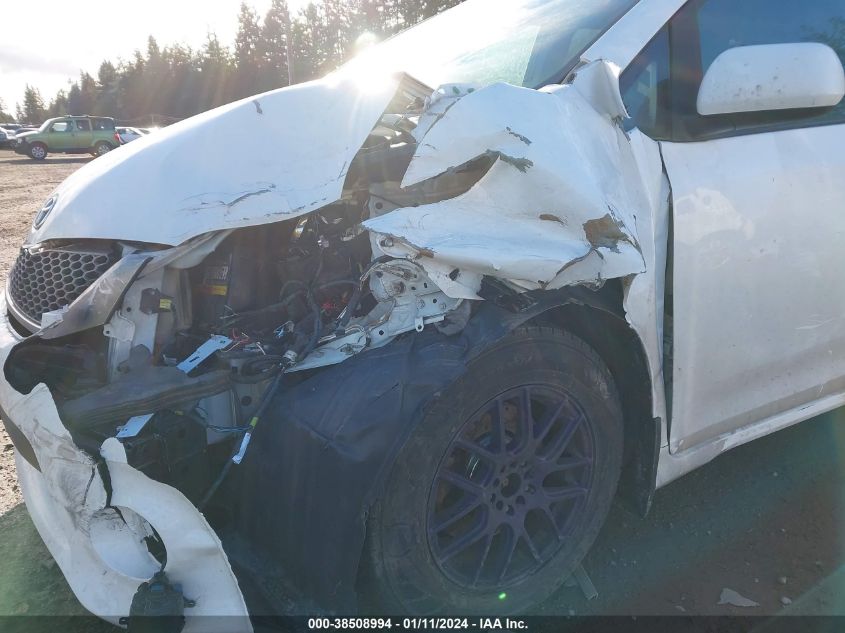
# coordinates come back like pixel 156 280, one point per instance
pixel 765 520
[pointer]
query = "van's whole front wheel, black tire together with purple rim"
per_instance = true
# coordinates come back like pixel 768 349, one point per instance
pixel 402 572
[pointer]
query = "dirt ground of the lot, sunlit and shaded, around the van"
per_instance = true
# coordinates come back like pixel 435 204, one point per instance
pixel 766 521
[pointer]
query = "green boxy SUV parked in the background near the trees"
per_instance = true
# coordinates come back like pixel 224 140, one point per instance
pixel 69 135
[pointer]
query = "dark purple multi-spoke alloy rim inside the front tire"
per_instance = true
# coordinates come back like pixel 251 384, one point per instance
pixel 512 486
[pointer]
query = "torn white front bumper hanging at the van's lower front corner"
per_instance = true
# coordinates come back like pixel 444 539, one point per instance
pixel 95 530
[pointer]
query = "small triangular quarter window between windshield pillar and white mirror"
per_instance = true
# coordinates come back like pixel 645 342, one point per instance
pixel 645 88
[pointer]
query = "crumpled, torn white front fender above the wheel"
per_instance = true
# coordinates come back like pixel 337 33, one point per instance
pixel 559 205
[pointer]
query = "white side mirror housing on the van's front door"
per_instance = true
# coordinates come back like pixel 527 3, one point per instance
pixel 772 77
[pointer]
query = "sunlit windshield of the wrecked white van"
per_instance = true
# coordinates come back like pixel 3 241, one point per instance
pixel 528 43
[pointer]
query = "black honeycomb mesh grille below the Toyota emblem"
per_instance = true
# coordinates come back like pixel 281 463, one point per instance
pixel 49 280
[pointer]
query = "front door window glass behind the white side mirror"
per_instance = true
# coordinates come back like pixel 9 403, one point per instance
pixel 718 25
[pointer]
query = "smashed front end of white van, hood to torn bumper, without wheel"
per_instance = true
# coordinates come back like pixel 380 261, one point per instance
pixel 207 381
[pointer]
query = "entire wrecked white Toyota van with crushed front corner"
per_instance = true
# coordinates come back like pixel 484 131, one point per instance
pixel 403 345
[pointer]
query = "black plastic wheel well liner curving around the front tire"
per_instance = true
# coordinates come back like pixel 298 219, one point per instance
pixel 318 462
